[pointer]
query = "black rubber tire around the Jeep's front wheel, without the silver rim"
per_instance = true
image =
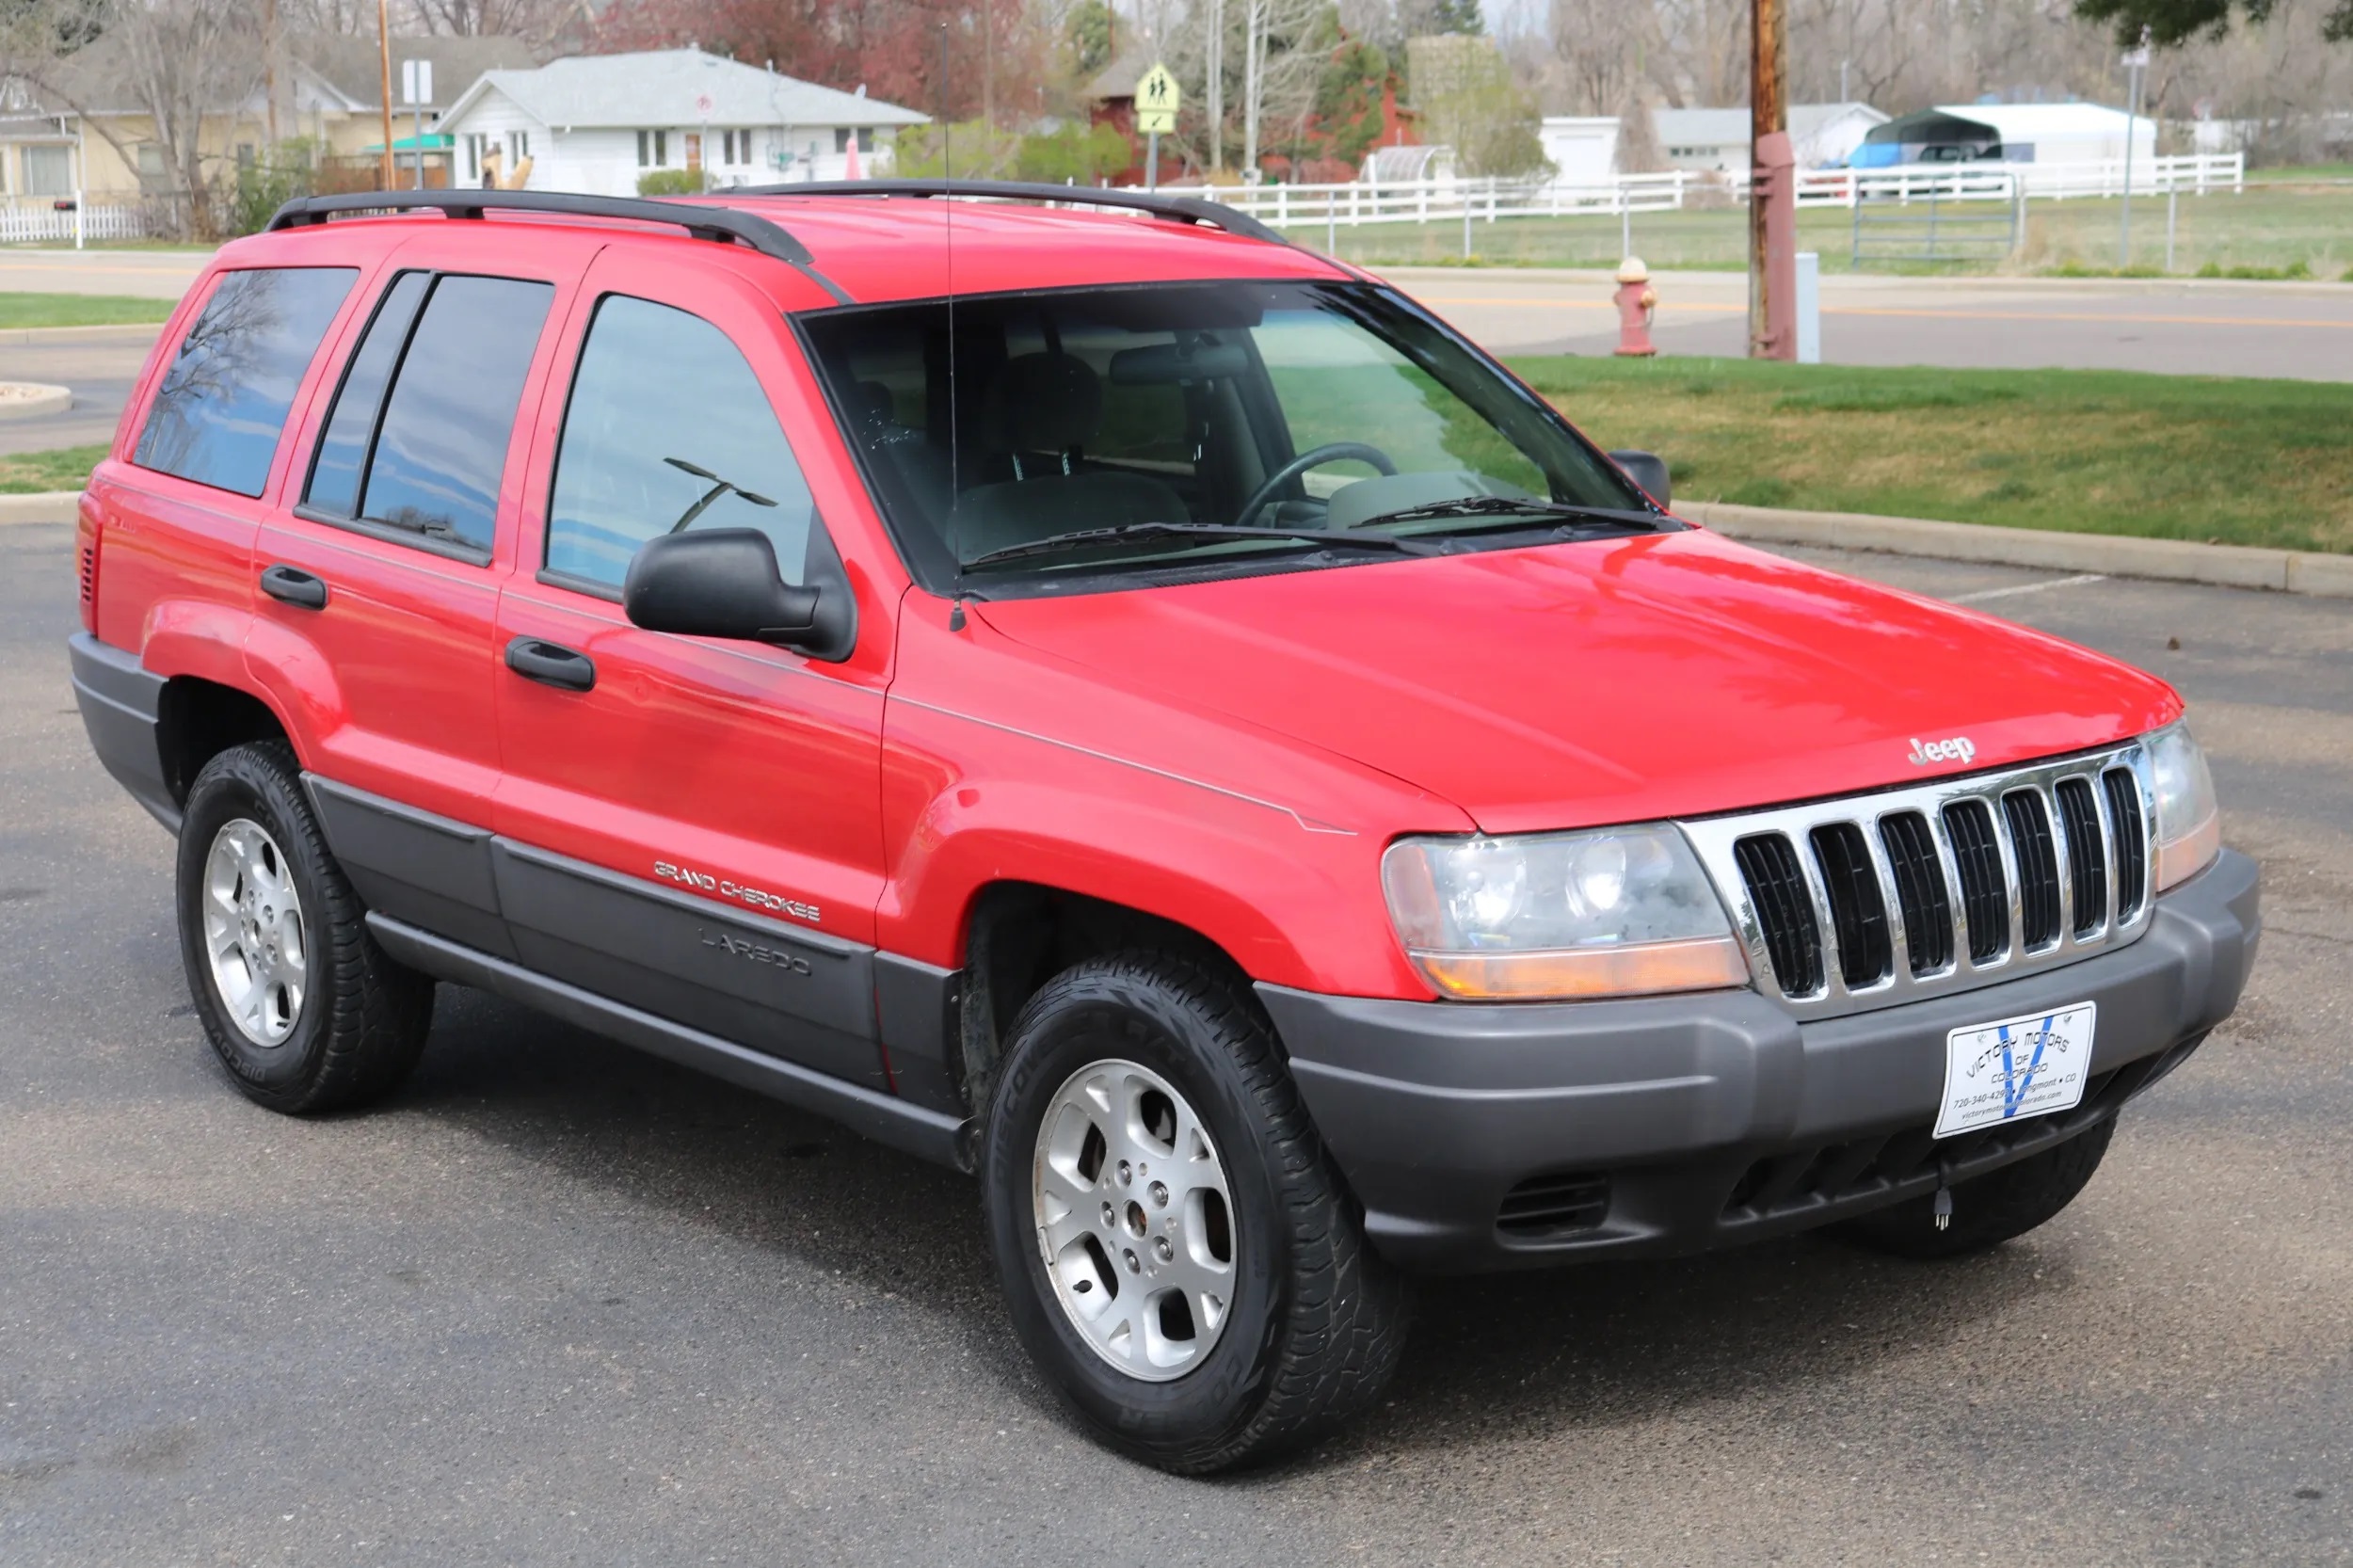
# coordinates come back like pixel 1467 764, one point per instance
pixel 1317 1320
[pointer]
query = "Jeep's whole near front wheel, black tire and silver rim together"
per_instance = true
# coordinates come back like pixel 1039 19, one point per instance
pixel 1175 1249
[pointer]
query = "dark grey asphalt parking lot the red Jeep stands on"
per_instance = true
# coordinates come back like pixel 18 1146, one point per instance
pixel 564 1303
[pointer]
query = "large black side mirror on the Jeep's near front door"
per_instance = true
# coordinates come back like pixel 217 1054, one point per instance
pixel 724 583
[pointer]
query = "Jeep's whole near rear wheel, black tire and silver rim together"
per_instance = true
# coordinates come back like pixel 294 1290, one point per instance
pixel 300 1004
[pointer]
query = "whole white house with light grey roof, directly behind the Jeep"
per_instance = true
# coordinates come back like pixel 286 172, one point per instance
pixel 594 124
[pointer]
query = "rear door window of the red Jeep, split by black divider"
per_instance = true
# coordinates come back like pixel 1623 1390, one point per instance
pixel 420 427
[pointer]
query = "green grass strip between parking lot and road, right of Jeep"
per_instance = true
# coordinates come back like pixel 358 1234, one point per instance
pixel 2084 451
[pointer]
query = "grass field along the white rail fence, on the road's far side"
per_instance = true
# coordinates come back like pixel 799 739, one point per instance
pixel 2260 230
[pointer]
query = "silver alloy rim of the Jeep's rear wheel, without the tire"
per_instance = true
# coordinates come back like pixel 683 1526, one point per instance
pixel 255 934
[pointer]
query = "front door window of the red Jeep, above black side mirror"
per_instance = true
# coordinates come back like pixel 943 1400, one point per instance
pixel 669 430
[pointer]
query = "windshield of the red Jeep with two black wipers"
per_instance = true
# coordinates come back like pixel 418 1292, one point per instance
pixel 1161 423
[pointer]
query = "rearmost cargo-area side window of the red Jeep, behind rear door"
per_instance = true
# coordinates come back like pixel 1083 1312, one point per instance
pixel 227 394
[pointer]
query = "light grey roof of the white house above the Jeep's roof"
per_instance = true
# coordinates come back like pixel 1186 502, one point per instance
pixel 674 88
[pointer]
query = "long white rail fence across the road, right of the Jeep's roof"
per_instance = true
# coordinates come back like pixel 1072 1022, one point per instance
pixel 1349 206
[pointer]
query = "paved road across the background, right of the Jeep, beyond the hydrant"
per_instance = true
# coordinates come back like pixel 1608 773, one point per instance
pixel 2189 326
